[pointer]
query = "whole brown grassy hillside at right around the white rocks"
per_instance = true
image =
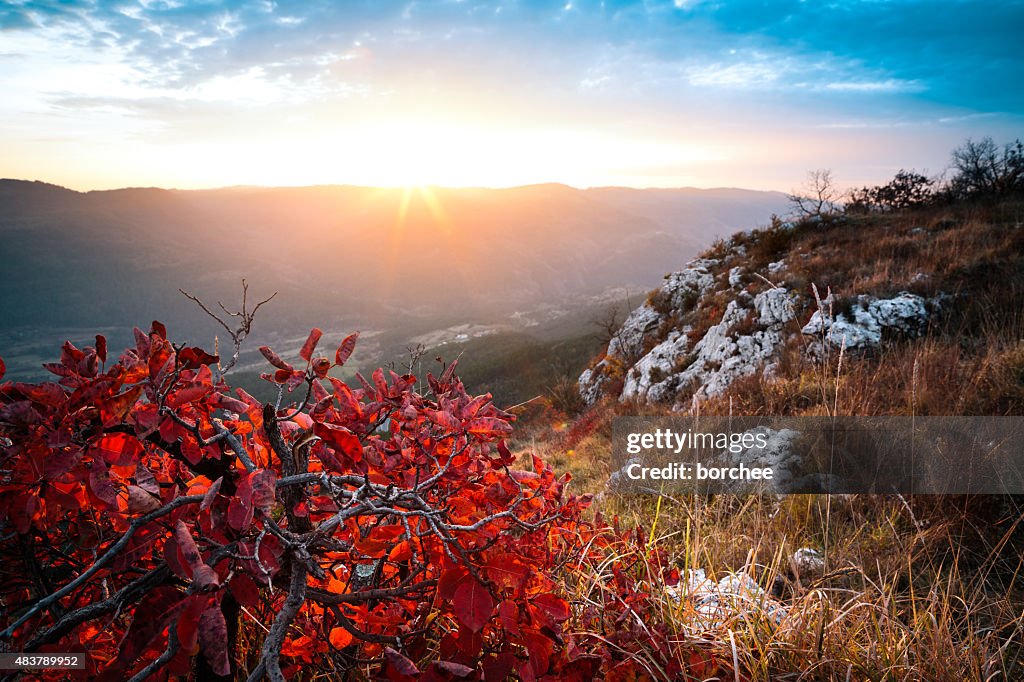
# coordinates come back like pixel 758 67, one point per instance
pixel 921 588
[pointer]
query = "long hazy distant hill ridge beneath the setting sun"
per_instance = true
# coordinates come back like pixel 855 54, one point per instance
pixel 388 260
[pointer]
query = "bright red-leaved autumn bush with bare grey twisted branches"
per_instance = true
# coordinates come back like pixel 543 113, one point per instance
pixel 148 510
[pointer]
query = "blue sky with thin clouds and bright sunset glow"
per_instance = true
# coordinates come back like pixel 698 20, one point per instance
pixel 504 93
